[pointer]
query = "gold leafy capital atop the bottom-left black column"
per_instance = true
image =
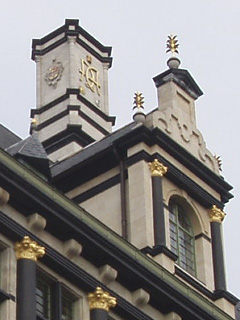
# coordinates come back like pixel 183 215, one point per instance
pixel 29 249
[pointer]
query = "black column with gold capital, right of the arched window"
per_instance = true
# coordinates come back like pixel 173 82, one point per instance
pixel 216 218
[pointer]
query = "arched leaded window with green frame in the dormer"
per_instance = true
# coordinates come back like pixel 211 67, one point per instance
pixel 181 237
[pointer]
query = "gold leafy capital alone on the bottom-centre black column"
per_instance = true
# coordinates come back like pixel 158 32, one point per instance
pixel 100 299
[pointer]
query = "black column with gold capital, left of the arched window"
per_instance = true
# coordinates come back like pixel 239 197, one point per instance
pixel 157 171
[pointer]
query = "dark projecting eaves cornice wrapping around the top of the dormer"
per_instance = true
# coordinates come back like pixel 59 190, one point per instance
pixel 122 139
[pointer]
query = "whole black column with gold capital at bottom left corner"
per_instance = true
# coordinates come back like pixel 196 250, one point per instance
pixel 27 253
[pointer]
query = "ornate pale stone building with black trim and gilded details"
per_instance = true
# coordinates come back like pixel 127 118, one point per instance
pixel 132 217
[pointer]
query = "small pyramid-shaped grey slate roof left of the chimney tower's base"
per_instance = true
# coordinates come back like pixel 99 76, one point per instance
pixel 30 147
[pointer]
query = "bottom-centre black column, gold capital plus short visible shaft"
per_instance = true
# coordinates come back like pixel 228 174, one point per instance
pixel 99 303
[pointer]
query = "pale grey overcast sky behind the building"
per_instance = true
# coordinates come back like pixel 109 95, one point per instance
pixel 208 33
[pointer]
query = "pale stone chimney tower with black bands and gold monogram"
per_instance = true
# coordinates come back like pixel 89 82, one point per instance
pixel 72 90
